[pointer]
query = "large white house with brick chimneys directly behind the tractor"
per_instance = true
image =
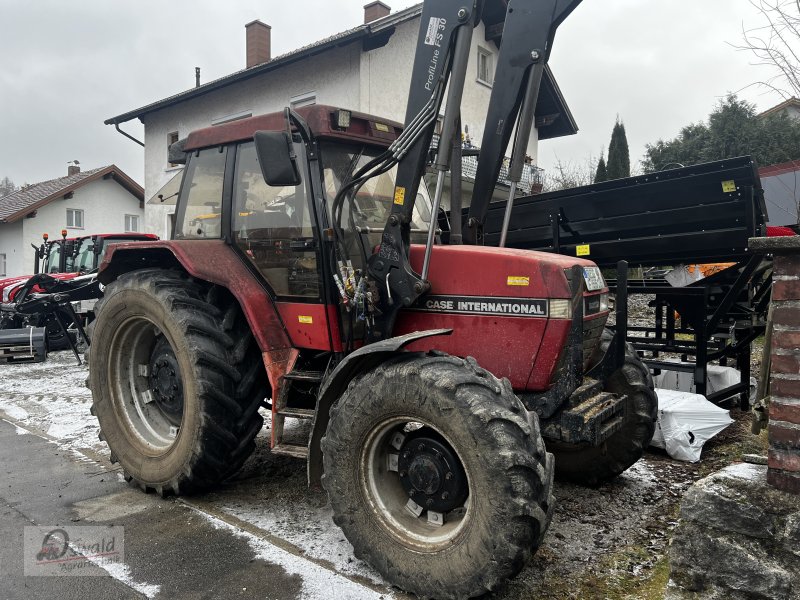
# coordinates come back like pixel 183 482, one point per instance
pixel 367 69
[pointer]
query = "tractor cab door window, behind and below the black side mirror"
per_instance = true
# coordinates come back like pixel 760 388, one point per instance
pixel 274 227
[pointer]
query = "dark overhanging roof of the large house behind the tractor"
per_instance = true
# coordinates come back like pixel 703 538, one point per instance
pixel 551 101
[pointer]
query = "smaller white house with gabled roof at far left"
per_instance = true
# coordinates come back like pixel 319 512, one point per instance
pixel 103 200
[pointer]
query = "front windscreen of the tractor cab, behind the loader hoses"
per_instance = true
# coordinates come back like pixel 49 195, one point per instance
pixel 372 203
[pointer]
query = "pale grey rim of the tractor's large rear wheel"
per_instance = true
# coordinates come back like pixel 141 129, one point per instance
pixel 148 387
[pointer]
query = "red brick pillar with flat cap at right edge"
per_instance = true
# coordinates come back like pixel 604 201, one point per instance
pixel 784 409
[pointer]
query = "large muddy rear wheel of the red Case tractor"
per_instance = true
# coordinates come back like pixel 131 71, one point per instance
pixel 176 380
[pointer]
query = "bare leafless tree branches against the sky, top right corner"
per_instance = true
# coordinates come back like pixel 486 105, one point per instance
pixel 775 43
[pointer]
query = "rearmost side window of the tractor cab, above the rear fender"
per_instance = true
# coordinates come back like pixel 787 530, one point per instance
pixel 201 196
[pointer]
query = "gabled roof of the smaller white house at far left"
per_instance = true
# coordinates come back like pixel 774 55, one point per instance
pixel 14 207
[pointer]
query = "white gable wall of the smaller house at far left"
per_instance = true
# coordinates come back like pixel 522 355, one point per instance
pixel 104 203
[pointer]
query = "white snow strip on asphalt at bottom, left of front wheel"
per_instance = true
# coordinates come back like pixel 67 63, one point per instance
pixel 318 583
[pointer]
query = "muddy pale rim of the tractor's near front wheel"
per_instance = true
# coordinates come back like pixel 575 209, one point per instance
pixel 420 495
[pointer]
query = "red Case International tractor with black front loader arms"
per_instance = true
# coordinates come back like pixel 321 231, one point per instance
pixel 306 276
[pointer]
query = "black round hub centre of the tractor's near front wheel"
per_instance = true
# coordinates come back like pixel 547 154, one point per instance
pixel 431 473
